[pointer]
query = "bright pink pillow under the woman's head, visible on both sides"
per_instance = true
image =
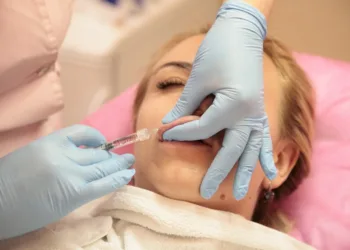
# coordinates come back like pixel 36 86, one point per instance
pixel 321 206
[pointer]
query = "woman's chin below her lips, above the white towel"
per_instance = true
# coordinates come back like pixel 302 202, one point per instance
pixel 173 169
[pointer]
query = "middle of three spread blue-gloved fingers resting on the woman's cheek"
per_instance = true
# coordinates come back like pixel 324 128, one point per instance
pixel 247 164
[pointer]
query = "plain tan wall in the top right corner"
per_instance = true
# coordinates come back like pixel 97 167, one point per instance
pixel 316 26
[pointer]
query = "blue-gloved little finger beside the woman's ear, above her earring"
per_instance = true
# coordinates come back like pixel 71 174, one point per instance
pixel 266 154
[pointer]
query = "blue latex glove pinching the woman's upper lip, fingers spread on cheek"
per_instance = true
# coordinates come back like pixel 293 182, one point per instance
pixel 229 64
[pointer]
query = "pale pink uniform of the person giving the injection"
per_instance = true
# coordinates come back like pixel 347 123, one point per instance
pixel 31 97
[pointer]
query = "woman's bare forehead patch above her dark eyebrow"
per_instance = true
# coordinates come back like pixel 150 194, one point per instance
pixel 185 51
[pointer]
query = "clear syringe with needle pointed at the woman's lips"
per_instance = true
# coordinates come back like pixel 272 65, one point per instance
pixel 140 135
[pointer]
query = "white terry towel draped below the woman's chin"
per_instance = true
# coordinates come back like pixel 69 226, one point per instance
pixel 137 219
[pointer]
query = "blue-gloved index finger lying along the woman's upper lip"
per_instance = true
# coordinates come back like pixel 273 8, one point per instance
pixel 200 129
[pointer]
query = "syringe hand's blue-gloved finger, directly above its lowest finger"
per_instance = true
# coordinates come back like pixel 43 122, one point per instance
pixel 115 164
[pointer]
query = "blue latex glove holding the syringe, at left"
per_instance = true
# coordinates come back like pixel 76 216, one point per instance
pixel 49 178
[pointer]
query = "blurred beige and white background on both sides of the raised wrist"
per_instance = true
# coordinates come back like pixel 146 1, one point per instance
pixel 110 43
